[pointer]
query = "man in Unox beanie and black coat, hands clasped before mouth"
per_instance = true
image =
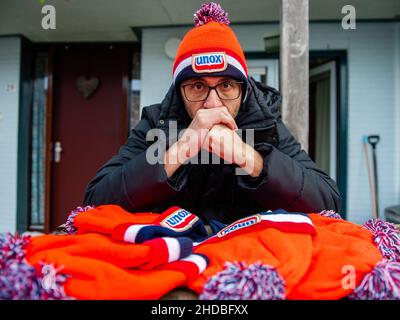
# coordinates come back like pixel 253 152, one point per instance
pixel 211 98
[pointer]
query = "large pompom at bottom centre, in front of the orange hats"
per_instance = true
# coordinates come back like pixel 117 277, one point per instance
pixel 241 282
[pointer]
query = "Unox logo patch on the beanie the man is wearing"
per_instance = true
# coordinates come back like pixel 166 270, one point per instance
pixel 209 62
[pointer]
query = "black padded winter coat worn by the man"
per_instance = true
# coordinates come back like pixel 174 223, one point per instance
pixel 289 179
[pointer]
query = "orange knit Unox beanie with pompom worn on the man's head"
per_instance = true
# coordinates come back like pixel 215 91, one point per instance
pixel 211 48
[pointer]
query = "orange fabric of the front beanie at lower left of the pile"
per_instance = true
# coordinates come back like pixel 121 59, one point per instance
pixel 96 279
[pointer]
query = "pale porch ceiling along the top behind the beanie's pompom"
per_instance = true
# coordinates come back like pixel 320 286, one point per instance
pixel 107 20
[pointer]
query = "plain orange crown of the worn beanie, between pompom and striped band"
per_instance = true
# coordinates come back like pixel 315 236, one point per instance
pixel 213 35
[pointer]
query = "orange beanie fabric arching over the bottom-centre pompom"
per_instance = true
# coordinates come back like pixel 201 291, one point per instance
pixel 289 253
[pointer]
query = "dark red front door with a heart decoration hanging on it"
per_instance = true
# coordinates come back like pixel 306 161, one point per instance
pixel 90 120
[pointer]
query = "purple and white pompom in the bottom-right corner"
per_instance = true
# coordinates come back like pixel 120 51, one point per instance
pixel 382 283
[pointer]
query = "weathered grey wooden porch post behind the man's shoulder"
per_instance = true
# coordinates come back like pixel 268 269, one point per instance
pixel 294 68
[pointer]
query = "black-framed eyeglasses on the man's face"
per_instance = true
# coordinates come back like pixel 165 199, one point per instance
pixel 226 90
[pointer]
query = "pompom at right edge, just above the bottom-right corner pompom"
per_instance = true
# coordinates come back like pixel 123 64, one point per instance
pixel 386 238
